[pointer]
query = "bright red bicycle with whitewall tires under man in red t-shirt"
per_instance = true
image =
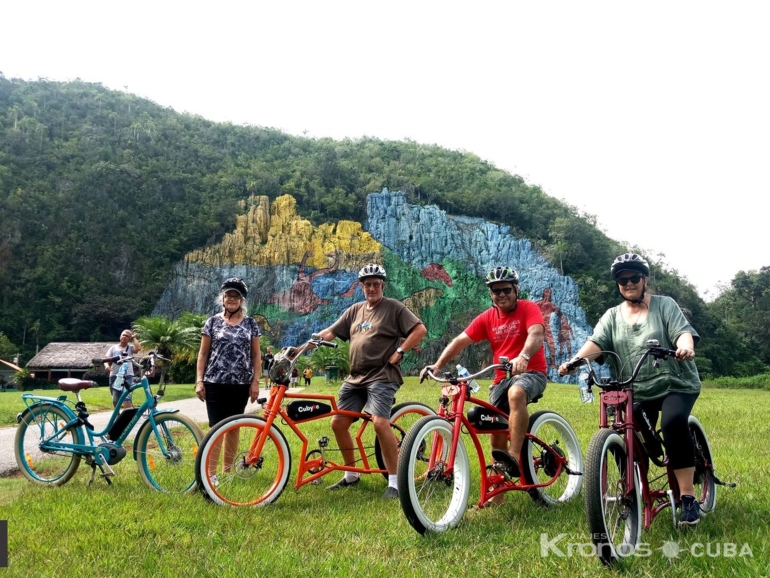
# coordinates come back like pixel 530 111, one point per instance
pixel 434 470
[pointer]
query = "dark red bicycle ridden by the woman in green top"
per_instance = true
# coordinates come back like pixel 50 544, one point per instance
pixel 624 491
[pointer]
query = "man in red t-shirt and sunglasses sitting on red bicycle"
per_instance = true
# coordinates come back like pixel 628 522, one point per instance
pixel 514 329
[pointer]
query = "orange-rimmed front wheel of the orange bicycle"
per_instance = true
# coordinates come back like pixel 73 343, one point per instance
pixel 229 475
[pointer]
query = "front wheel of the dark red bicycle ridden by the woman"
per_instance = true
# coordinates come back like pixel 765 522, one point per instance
pixel 614 516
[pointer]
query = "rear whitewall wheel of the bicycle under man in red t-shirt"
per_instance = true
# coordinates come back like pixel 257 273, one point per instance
pixel 553 439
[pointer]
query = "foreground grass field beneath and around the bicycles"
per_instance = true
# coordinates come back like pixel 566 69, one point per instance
pixel 128 530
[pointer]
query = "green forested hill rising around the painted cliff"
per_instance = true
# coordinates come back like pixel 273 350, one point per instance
pixel 102 191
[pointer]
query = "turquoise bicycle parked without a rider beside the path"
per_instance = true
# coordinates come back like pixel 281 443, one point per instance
pixel 54 434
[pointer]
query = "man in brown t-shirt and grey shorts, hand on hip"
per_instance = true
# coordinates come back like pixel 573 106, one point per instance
pixel 375 329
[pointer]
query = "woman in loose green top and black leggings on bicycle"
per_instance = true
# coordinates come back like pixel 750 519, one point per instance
pixel 671 389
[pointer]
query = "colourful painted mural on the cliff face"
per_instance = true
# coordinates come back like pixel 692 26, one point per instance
pixel 301 276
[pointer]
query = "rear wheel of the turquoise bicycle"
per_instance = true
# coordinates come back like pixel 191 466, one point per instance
pixel 40 465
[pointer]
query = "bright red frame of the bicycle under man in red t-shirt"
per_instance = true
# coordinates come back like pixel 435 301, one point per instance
pixel 457 395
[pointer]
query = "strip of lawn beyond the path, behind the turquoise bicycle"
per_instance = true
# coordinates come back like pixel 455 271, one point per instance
pixel 97 399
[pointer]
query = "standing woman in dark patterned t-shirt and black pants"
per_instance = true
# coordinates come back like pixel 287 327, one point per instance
pixel 229 364
